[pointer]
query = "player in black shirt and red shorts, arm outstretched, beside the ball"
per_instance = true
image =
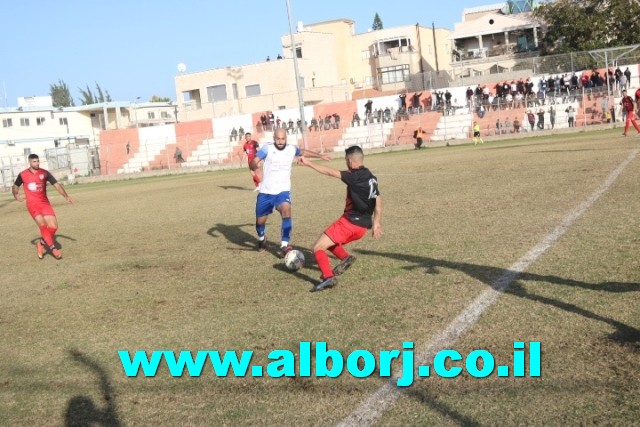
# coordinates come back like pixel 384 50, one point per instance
pixel 363 210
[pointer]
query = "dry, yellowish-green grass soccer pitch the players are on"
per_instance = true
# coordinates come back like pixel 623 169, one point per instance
pixel 169 263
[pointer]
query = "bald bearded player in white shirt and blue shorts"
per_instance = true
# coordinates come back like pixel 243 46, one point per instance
pixel 275 188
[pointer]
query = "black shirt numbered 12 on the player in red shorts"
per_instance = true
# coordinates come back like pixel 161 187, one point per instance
pixel 362 191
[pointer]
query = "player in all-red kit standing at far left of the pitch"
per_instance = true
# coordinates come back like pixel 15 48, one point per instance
pixel 35 191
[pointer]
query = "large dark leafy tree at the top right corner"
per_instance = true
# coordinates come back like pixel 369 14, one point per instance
pixel 575 25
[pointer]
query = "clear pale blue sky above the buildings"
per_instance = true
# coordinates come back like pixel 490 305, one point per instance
pixel 132 48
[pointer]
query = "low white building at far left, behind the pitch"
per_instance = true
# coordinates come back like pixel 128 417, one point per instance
pixel 68 135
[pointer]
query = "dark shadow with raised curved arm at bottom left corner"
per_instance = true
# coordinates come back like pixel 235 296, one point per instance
pixel 81 410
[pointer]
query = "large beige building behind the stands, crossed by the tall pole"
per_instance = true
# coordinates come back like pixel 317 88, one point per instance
pixel 335 64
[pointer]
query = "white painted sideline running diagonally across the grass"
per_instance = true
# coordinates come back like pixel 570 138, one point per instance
pixel 383 398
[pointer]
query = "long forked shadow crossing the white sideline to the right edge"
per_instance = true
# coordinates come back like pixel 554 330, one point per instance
pixel 511 282
